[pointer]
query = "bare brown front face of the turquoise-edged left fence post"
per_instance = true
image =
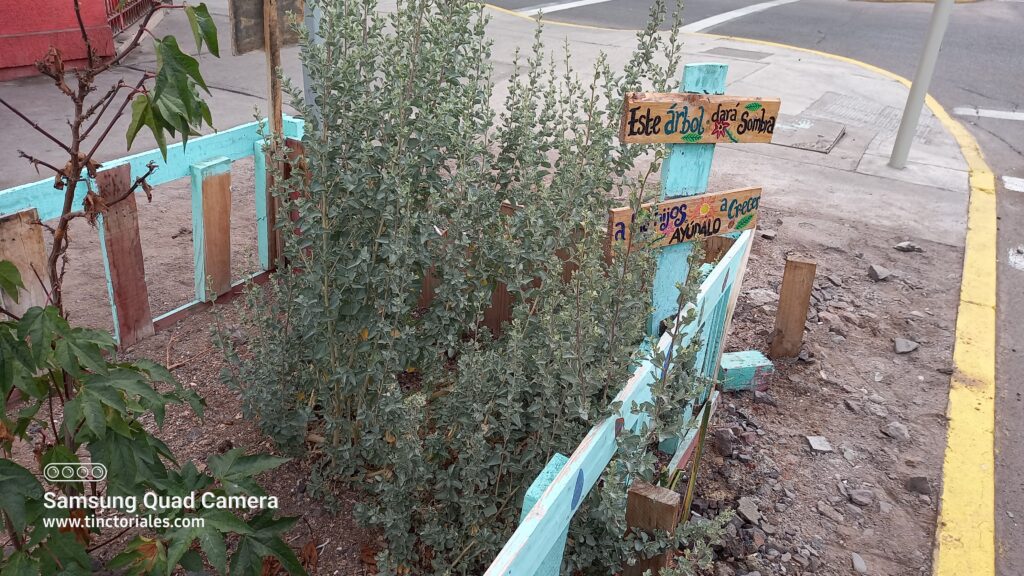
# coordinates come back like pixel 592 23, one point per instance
pixel 218 228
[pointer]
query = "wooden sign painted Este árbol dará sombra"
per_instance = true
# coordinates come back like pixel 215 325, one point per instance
pixel 685 118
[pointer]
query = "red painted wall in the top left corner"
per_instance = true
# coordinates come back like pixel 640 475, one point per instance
pixel 29 28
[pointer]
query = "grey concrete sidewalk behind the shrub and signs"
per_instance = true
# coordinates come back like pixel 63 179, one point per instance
pixel 820 96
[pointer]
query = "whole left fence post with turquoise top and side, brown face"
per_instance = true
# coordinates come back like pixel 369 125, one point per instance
pixel 211 183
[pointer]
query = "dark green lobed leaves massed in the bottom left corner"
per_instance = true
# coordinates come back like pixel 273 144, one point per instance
pixel 73 401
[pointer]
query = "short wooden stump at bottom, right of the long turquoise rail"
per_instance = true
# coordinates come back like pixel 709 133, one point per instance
pixel 652 508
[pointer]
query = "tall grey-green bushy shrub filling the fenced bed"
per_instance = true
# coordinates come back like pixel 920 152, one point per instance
pixel 408 173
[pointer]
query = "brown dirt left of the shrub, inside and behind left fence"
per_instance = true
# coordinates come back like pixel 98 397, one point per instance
pixel 165 228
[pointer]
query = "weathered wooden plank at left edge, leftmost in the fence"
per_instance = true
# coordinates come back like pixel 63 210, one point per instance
pixel 22 244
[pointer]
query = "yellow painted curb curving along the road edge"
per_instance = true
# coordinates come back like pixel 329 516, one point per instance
pixel 965 538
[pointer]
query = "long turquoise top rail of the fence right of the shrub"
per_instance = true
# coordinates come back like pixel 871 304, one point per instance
pixel 528 548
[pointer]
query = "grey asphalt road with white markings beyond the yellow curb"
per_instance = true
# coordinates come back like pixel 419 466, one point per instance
pixel 982 66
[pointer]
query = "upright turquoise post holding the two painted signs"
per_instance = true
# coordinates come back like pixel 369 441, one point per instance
pixel 685 173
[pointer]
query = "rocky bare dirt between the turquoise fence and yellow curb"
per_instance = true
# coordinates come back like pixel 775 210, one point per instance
pixel 875 491
